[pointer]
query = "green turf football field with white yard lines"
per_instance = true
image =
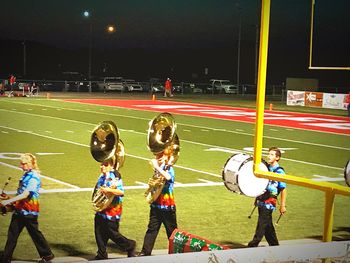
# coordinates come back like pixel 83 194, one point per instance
pixel 53 126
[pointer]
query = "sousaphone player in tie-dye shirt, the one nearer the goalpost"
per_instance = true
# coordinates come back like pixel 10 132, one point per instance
pixel 163 209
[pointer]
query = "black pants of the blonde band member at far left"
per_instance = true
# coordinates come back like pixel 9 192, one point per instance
pixel 18 222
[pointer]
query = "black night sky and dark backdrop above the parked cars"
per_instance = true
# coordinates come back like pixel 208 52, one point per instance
pixel 158 38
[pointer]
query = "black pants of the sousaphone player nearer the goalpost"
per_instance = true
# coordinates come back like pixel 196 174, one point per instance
pixel 156 218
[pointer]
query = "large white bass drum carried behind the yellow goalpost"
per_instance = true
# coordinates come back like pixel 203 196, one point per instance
pixel 238 176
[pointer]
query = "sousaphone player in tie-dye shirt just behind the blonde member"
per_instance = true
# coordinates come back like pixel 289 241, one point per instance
pixel 107 221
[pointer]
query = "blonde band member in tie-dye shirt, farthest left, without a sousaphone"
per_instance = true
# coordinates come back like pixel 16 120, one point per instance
pixel 26 211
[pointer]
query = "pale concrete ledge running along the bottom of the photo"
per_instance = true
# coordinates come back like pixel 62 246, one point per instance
pixel 303 250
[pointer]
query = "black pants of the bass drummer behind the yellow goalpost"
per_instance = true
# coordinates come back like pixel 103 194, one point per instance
pixel 264 228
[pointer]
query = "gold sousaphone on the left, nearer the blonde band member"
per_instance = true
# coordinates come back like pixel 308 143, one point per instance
pixel 105 145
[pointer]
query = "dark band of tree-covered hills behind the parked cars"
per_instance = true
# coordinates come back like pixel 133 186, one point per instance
pixel 48 62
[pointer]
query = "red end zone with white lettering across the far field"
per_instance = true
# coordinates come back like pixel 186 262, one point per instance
pixel 316 122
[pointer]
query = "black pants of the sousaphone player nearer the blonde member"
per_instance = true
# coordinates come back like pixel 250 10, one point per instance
pixel 106 229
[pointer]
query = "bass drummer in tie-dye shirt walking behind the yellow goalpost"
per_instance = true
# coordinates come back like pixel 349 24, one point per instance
pixel 267 203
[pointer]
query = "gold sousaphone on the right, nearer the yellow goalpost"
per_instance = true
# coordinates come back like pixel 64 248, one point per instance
pixel 161 136
